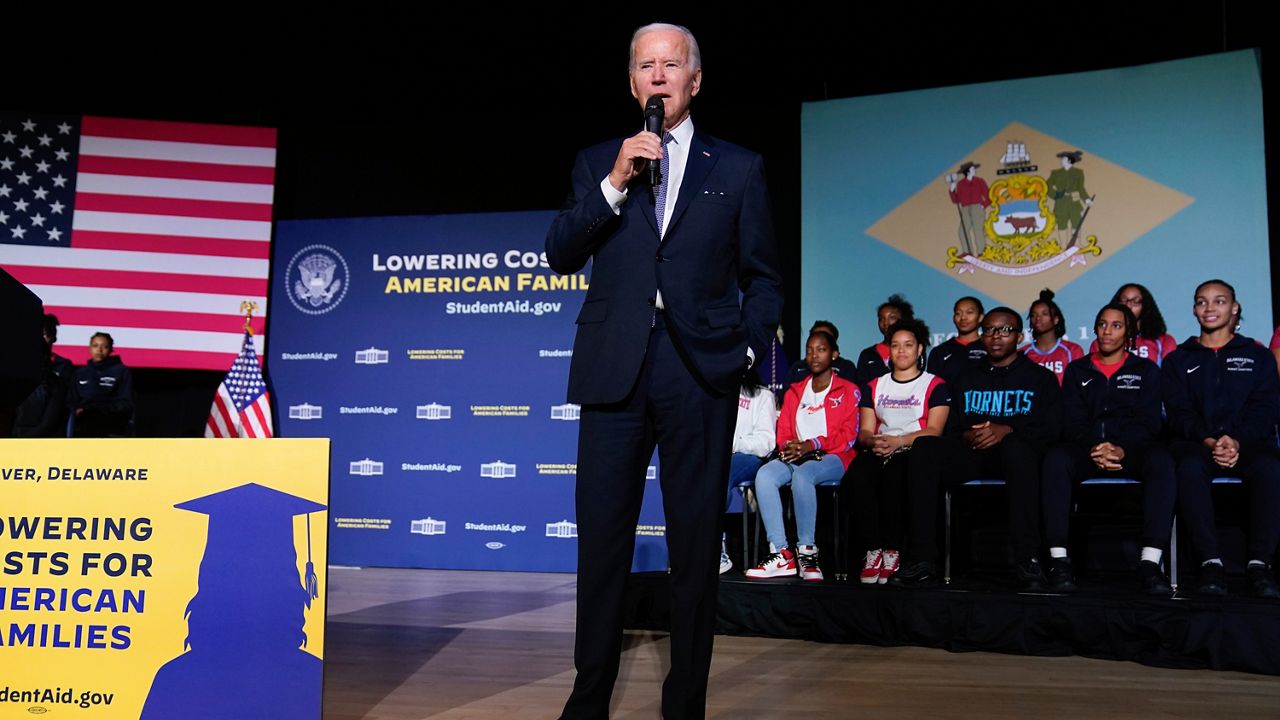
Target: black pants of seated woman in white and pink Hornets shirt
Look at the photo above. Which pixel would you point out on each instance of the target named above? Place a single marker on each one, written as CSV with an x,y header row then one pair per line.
x,y
880,499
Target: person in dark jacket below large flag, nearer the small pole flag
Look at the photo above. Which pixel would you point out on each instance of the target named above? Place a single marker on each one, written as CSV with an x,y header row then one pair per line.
x,y
104,393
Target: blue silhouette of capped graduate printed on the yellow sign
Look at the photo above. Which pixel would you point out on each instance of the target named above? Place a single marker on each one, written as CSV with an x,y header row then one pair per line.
x,y
244,651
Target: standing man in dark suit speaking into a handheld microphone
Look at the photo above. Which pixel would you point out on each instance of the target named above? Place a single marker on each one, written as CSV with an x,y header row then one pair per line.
x,y
685,294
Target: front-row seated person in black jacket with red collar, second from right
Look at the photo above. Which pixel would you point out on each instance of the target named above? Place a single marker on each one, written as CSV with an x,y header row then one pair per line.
x,y
1112,422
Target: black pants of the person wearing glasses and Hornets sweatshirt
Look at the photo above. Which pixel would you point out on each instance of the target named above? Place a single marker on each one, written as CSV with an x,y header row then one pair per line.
x,y
949,461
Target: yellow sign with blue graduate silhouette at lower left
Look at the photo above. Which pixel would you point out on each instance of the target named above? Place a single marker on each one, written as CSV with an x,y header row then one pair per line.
x,y
163,578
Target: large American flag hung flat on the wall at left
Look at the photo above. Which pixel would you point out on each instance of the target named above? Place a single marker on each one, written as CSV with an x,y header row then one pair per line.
x,y
152,231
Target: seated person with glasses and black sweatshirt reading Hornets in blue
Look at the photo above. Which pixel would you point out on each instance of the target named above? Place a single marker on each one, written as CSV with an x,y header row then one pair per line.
x,y
1004,413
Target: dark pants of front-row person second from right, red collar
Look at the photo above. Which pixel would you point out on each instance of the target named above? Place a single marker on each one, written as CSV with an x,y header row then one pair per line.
x,y
1069,464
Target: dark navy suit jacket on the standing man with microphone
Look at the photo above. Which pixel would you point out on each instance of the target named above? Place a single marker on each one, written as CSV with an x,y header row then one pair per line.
x,y
716,268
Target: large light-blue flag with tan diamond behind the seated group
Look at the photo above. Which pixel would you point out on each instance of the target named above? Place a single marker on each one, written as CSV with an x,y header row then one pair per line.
x,y
1173,154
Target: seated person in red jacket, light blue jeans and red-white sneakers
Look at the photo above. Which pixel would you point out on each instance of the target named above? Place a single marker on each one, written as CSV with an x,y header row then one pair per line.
x,y
817,432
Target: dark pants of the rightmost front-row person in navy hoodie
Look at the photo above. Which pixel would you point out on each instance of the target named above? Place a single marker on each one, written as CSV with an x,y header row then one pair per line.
x,y
1260,470
